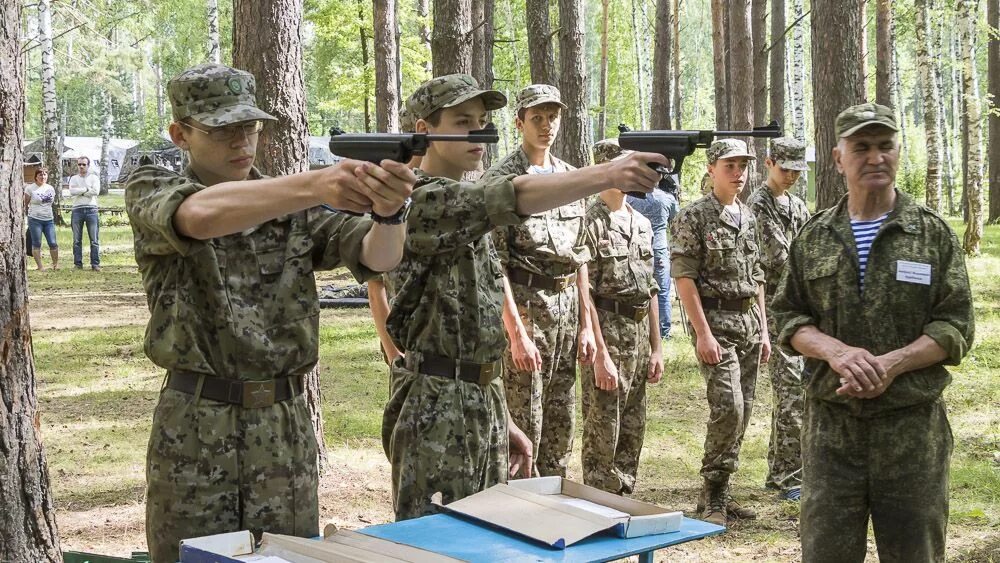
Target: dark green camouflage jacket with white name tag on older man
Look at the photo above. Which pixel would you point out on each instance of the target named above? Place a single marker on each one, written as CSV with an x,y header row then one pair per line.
x,y
820,288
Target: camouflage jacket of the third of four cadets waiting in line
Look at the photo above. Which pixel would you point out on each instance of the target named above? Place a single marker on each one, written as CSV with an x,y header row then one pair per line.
x,y
722,258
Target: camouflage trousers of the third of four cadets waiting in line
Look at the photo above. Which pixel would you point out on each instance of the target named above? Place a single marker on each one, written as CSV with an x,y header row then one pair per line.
x,y
730,387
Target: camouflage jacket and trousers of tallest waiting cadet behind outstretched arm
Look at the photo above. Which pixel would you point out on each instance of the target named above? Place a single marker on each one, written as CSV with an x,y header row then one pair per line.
x,y
543,403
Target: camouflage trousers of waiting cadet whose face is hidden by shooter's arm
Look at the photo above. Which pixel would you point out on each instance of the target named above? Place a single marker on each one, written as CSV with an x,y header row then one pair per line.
x,y
614,422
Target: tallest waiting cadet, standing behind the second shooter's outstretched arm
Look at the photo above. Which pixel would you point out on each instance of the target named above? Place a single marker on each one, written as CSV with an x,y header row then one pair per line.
x,y
544,260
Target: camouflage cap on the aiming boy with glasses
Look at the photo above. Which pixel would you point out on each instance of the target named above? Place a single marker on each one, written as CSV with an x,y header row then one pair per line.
x,y
214,95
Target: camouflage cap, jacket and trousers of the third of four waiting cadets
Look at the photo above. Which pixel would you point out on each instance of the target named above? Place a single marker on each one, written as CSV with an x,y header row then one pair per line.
x,y
723,259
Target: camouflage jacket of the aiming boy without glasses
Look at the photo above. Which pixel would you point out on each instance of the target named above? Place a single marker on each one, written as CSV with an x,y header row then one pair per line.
x,y
449,287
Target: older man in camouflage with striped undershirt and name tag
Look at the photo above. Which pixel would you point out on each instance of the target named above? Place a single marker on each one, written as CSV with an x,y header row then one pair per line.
x,y
877,298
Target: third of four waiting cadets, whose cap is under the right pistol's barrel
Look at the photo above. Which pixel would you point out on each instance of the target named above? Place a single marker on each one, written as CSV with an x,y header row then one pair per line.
x,y
715,262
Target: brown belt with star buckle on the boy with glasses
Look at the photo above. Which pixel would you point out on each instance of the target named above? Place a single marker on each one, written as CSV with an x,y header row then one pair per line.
x,y
248,394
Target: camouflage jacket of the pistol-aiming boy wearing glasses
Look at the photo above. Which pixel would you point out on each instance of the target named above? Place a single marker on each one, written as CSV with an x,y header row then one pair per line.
x,y
241,306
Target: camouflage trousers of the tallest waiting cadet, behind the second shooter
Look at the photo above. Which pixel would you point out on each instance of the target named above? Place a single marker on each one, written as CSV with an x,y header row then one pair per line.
x,y
543,403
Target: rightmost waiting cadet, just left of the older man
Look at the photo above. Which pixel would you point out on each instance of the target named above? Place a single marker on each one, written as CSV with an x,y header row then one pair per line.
x,y
780,215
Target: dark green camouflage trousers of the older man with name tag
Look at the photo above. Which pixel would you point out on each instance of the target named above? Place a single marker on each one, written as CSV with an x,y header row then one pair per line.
x,y
892,468
